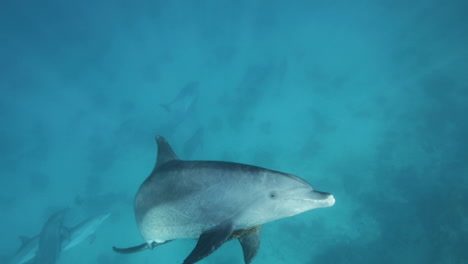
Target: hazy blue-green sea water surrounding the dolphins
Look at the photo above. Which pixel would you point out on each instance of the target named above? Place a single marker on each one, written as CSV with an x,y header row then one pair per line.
x,y
367,100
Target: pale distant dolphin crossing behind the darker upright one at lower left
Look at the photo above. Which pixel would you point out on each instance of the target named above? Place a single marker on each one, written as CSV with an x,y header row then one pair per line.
x,y
76,235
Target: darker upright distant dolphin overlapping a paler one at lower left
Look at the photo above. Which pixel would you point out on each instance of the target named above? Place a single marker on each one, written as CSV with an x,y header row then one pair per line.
x,y
50,240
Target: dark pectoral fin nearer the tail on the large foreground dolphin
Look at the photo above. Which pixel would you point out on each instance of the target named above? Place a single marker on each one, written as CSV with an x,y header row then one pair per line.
x,y
209,241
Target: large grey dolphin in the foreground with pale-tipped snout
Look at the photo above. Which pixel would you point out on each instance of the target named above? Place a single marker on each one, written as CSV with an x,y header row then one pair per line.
x,y
215,201
